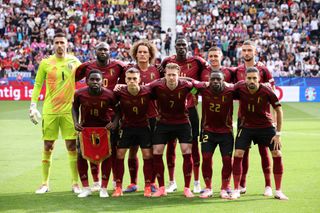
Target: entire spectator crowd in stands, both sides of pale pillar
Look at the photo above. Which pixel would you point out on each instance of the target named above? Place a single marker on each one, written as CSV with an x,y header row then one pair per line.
x,y
286,32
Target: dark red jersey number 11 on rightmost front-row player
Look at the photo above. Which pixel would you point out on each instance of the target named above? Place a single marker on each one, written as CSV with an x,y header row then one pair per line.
x,y
255,108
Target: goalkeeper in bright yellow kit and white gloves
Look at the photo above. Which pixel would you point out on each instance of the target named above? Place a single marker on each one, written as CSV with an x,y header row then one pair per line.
x,y
58,71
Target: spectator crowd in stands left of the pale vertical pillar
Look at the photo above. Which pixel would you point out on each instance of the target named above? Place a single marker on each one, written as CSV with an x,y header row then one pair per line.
x,y
27,28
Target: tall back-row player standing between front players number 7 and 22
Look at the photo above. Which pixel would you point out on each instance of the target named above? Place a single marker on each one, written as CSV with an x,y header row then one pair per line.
x,y
191,67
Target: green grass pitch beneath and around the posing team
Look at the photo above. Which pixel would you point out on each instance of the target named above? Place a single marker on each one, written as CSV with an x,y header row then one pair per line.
x,y
20,172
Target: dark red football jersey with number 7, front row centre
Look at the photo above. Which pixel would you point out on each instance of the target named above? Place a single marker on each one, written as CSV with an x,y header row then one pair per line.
x,y
172,103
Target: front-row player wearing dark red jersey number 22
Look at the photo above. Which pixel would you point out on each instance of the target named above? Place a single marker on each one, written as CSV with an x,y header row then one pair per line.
x,y
217,109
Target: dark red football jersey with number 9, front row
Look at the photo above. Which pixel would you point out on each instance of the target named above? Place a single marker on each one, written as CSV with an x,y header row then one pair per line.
x,y
134,108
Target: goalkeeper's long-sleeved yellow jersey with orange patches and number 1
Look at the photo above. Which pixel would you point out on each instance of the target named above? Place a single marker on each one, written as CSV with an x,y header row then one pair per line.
x,y
59,74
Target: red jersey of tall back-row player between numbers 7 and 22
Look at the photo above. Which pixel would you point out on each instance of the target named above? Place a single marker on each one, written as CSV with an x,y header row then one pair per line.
x,y
192,67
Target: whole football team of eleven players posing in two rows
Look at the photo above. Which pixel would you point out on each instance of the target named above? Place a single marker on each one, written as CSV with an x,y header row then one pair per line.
x,y
175,111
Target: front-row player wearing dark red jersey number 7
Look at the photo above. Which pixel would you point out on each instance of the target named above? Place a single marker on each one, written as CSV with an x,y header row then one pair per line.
x,y
171,94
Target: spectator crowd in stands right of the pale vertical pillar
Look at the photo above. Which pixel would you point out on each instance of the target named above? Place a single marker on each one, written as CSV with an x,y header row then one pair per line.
x,y
286,32
